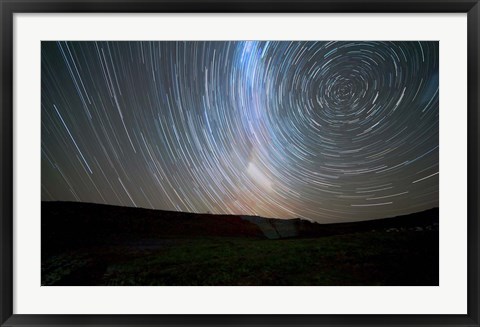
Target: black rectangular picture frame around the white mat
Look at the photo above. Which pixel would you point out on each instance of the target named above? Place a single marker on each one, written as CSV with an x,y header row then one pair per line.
x,y
10,7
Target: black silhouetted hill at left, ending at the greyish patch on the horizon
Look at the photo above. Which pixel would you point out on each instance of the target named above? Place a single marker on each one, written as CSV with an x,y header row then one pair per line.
x,y
76,222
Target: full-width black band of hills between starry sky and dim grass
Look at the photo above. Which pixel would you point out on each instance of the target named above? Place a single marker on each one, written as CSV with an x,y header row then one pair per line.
x,y
87,222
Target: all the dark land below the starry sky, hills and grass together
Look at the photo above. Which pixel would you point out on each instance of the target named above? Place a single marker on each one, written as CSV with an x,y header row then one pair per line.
x,y
88,244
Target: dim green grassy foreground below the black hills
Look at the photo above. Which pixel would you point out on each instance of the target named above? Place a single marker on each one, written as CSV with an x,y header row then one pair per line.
x,y
366,258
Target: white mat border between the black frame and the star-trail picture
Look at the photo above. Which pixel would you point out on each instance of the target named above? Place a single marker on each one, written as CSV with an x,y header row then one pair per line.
x,y
448,298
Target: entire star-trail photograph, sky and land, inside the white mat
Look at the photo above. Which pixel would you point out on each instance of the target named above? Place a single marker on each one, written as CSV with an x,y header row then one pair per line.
x,y
185,163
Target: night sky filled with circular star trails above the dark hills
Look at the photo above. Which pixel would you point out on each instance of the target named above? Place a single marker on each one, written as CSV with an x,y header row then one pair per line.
x,y
328,131
